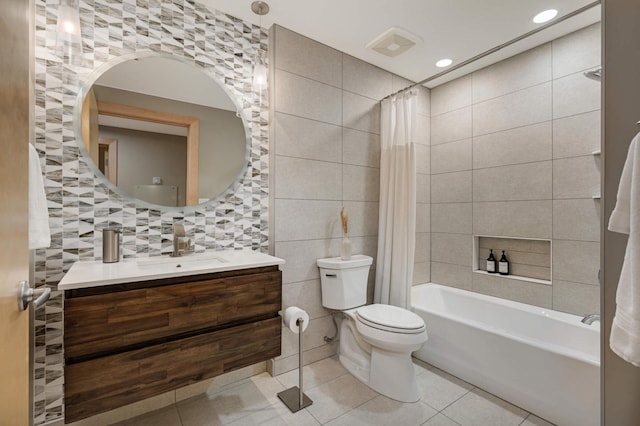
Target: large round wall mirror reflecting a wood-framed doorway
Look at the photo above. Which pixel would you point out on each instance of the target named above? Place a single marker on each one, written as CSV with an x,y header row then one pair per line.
x,y
162,131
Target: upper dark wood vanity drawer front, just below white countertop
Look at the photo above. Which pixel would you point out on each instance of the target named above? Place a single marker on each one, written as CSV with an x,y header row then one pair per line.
x,y
155,312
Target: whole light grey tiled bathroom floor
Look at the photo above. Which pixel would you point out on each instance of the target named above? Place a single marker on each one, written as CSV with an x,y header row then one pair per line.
x,y
340,399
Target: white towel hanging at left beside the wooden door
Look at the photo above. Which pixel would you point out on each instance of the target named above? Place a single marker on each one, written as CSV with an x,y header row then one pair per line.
x,y
39,233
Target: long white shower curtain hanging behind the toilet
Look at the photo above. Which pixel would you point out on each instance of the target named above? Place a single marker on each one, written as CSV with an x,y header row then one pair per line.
x,y
397,213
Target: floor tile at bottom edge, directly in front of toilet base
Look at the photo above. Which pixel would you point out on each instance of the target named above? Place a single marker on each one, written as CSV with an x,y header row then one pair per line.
x,y
385,411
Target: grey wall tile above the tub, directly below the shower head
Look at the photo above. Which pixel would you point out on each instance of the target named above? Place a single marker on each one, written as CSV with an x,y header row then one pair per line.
x,y
575,94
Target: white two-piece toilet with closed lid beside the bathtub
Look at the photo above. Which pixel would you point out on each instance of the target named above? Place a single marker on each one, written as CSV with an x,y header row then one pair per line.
x,y
376,341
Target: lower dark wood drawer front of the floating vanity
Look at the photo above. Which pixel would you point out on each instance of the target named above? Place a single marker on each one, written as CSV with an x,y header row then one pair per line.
x,y
104,383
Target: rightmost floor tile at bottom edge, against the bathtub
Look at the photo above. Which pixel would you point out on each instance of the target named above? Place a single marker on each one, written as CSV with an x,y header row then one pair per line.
x,y
479,408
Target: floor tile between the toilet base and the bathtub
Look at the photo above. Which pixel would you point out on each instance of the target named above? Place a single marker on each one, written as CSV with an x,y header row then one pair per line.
x,y
439,389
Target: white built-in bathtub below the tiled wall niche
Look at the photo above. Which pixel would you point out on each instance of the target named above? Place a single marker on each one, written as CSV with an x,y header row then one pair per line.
x,y
543,361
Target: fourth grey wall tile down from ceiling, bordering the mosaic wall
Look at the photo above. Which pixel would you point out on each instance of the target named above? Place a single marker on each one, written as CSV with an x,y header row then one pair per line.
x,y
308,179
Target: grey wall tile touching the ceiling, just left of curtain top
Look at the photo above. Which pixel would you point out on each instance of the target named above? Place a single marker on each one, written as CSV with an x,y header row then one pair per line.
x,y
365,79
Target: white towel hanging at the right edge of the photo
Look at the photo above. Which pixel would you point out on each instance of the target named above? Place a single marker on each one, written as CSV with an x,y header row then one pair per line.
x,y
625,218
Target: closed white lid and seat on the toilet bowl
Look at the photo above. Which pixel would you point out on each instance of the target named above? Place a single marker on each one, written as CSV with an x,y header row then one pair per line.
x,y
390,318
